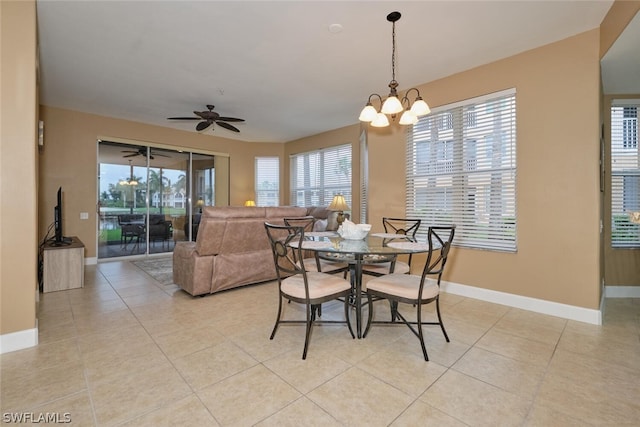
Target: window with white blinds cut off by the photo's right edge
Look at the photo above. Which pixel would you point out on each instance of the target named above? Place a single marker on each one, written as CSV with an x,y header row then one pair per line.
x,y
625,173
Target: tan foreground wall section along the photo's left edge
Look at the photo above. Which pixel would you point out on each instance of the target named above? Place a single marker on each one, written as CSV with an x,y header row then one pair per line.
x,y
18,172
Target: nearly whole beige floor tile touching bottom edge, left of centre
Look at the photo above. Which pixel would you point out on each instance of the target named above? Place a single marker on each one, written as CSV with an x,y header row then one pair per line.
x,y
248,397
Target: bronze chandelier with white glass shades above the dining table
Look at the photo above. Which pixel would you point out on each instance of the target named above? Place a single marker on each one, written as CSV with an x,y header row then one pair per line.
x,y
394,105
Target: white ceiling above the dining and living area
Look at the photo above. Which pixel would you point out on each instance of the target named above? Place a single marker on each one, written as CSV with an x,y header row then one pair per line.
x,y
275,63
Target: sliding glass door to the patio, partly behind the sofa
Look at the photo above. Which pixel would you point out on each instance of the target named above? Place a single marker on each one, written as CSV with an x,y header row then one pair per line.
x,y
145,197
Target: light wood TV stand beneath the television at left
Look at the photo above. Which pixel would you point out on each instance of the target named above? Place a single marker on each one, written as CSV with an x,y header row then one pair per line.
x,y
63,265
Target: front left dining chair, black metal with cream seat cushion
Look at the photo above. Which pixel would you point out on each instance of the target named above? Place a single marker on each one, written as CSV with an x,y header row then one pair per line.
x,y
295,283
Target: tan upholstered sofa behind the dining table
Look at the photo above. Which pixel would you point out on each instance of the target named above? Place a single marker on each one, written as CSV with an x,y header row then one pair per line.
x,y
232,248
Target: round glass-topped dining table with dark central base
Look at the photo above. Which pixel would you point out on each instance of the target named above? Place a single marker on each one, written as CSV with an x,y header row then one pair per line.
x,y
375,248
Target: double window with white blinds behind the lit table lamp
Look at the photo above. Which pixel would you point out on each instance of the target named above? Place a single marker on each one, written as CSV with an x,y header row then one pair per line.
x,y
316,176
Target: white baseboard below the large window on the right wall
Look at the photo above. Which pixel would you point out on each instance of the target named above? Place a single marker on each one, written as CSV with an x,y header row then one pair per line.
x,y
551,308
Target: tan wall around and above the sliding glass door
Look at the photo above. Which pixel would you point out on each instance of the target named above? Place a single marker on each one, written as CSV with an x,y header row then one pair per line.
x,y
69,159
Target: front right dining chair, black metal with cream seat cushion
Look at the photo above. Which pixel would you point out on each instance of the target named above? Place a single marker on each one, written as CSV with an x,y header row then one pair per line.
x,y
413,289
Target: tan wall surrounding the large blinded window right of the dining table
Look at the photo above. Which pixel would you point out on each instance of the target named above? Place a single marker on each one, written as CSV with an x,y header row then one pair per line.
x,y
557,178
